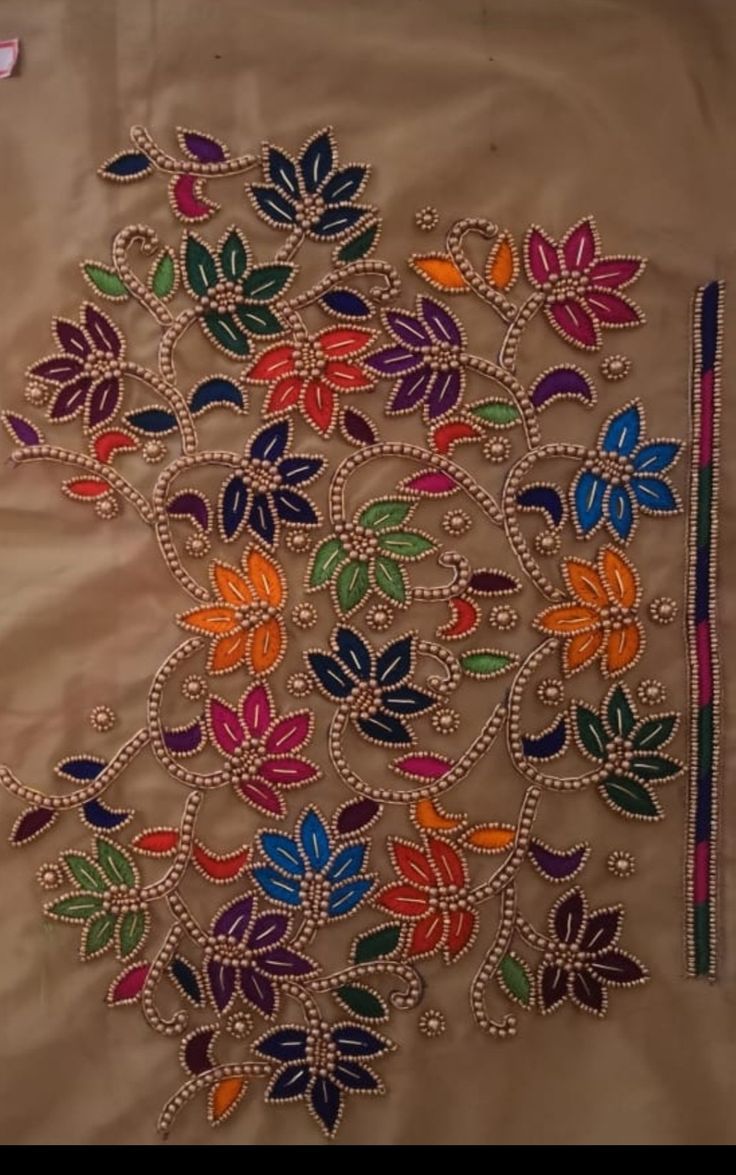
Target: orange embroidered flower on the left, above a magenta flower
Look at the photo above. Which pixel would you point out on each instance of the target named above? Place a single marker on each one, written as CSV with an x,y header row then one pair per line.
x,y
245,621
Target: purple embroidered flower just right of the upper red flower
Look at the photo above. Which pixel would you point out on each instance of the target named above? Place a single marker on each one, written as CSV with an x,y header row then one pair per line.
x,y
429,360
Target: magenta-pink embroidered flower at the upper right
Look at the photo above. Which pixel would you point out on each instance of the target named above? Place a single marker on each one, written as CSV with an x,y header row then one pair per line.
x,y
579,284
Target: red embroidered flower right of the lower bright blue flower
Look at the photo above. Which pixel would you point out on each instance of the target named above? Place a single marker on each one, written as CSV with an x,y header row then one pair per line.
x,y
433,897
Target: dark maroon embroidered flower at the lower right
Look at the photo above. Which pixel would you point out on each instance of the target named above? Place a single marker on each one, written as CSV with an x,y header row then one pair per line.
x,y
580,962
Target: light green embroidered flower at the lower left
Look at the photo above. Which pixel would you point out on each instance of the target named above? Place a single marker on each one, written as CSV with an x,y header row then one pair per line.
x,y
108,901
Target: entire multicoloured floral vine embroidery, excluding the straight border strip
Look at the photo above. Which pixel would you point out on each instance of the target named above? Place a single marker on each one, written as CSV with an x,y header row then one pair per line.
x,y
243,988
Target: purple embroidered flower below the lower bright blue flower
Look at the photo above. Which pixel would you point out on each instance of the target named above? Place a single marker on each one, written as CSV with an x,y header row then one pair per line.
x,y
245,954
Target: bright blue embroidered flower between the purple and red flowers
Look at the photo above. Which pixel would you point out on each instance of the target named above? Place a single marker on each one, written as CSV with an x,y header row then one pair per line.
x,y
307,871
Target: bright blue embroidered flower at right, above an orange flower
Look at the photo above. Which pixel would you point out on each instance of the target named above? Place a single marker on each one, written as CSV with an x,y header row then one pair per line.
x,y
623,476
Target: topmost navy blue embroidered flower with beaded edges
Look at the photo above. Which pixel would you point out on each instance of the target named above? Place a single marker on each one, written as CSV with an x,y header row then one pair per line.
x,y
311,193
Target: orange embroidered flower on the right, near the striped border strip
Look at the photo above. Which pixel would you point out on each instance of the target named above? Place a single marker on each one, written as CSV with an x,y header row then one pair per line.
x,y
601,623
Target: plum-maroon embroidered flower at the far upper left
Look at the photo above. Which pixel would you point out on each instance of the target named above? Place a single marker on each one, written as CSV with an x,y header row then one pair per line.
x,y
89,368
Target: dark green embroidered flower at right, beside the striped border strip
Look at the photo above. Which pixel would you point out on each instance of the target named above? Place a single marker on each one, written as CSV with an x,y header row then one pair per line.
x,y
627,750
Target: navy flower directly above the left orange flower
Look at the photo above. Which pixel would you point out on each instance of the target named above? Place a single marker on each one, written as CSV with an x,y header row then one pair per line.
x,y
260,495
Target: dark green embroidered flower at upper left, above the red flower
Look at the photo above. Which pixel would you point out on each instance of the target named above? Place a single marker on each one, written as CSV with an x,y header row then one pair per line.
x,y
233,297
